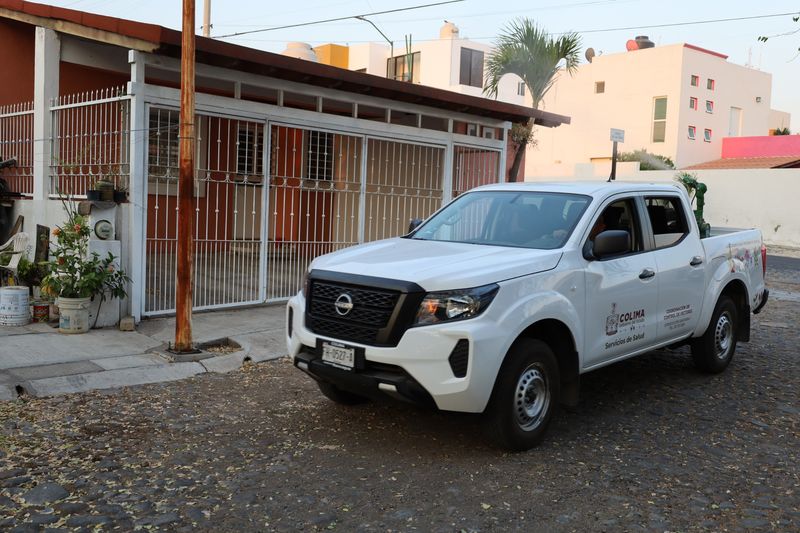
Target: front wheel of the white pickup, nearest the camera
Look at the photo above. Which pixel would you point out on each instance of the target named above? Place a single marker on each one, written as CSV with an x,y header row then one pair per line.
x,y
525,396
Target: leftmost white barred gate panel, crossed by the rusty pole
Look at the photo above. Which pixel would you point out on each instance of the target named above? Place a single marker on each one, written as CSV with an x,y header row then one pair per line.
x,y
228,225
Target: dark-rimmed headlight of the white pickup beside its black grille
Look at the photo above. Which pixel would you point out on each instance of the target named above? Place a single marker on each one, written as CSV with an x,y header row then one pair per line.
x,y
459,304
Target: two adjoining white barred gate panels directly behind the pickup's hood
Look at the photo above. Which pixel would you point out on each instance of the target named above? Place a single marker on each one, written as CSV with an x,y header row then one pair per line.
x,y
332,190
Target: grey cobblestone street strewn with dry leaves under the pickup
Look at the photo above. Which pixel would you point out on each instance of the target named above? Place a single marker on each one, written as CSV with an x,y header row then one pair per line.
x,y
653,446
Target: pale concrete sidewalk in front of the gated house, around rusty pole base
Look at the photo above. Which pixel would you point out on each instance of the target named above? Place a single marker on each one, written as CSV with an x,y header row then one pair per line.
x,y
39,361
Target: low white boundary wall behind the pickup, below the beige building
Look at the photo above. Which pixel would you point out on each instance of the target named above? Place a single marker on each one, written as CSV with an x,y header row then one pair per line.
x,y
761,198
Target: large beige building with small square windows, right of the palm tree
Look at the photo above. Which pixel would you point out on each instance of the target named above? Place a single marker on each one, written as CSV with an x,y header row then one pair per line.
x,y
678,101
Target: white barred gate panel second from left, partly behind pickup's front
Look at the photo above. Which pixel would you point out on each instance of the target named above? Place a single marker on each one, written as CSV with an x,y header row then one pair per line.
x,y
314,202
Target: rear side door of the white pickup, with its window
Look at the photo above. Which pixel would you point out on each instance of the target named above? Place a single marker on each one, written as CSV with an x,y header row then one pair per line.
x,y
680,259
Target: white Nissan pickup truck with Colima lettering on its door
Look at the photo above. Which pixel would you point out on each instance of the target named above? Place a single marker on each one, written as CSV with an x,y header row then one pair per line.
x,y
498,302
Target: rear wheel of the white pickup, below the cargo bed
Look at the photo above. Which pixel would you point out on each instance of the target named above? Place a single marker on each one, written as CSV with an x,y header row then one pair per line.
x,y
714,350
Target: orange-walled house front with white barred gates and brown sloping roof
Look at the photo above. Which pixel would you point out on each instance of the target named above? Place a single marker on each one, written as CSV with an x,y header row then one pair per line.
x,y
294,158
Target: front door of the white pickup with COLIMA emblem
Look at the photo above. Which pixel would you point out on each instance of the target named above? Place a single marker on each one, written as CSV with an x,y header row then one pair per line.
x,y
621,292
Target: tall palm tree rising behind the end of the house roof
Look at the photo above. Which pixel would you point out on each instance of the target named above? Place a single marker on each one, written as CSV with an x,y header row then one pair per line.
x,y
528,51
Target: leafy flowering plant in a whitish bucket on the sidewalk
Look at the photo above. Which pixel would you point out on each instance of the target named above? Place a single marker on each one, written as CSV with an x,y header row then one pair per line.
x,y
76,277
